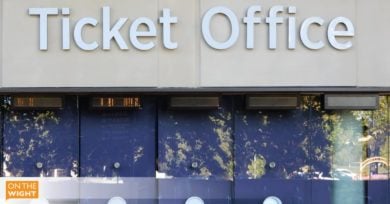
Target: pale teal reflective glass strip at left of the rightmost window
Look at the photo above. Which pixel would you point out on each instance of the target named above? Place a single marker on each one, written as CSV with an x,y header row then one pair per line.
x,y
346,133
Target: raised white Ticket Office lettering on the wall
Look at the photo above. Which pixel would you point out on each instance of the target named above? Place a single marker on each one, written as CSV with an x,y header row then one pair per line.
x,y
339,27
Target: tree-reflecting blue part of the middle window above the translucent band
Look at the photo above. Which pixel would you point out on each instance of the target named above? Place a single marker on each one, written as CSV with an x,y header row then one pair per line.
x,y
196,143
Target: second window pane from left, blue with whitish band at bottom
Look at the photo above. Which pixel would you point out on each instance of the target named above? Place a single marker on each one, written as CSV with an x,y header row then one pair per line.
x,y
118,149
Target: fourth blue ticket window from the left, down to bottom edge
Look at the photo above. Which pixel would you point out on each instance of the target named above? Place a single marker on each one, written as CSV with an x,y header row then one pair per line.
x,y
272,155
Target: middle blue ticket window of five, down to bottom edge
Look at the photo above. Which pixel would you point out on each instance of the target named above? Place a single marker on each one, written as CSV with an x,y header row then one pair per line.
x,y
195,152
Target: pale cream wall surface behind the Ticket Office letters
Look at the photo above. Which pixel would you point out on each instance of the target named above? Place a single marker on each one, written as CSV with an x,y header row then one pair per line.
x,y
194,63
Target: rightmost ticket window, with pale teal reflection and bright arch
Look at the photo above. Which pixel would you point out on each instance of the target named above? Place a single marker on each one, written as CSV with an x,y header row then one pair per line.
x,y
358,147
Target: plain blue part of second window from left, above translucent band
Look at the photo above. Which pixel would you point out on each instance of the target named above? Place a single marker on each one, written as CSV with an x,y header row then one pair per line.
x,y
123,136
